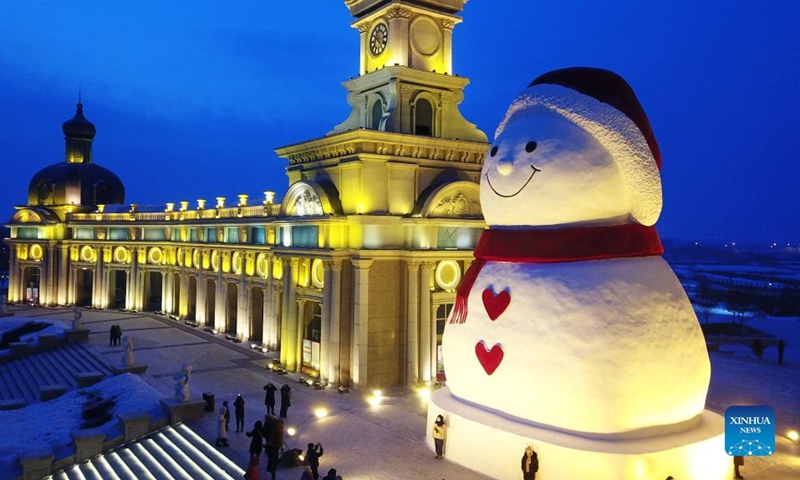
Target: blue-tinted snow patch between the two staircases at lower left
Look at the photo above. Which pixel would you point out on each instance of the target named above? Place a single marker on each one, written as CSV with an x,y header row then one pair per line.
x,y
48,424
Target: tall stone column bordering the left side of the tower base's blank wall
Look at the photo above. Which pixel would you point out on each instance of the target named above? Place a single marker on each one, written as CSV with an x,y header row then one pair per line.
x,y
360,328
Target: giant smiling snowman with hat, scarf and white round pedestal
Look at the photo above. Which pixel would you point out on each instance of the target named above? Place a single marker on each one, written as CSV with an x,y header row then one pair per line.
x,y
570,332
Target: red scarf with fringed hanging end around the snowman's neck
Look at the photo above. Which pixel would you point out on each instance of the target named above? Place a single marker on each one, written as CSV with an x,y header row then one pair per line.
x,y
555,246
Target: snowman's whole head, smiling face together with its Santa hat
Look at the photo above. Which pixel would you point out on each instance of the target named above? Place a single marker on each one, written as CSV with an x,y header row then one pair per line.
x,y
563,157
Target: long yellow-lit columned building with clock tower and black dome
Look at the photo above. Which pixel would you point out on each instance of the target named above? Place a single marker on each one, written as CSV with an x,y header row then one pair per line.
x,y
351,275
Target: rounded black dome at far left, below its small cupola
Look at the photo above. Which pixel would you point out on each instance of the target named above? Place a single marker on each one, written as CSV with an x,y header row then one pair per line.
x,y
75,183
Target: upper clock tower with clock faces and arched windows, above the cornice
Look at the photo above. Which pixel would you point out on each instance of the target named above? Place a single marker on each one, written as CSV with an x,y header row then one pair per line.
x,y
406,82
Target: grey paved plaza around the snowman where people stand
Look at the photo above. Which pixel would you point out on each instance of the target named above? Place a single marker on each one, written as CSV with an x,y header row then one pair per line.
x,y
388,441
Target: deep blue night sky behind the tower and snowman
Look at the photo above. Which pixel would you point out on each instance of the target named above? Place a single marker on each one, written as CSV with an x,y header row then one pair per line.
x,y
190,97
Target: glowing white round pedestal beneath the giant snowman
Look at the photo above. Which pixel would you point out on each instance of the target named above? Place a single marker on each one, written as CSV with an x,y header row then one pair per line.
x,y
493,444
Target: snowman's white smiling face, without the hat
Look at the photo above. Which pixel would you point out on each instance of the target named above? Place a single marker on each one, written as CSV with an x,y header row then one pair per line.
x,y
544,170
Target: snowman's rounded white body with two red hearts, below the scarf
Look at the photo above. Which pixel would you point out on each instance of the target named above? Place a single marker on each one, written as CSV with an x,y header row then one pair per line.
x,y
597,347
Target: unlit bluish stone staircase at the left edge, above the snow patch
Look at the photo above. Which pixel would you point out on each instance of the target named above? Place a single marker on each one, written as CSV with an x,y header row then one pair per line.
x,y
44,375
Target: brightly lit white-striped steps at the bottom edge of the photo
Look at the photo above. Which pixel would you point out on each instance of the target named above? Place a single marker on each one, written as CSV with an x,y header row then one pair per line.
x,y
174,452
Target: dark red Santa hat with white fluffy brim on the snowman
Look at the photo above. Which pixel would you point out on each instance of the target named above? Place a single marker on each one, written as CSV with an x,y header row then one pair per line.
x,y
603,104
